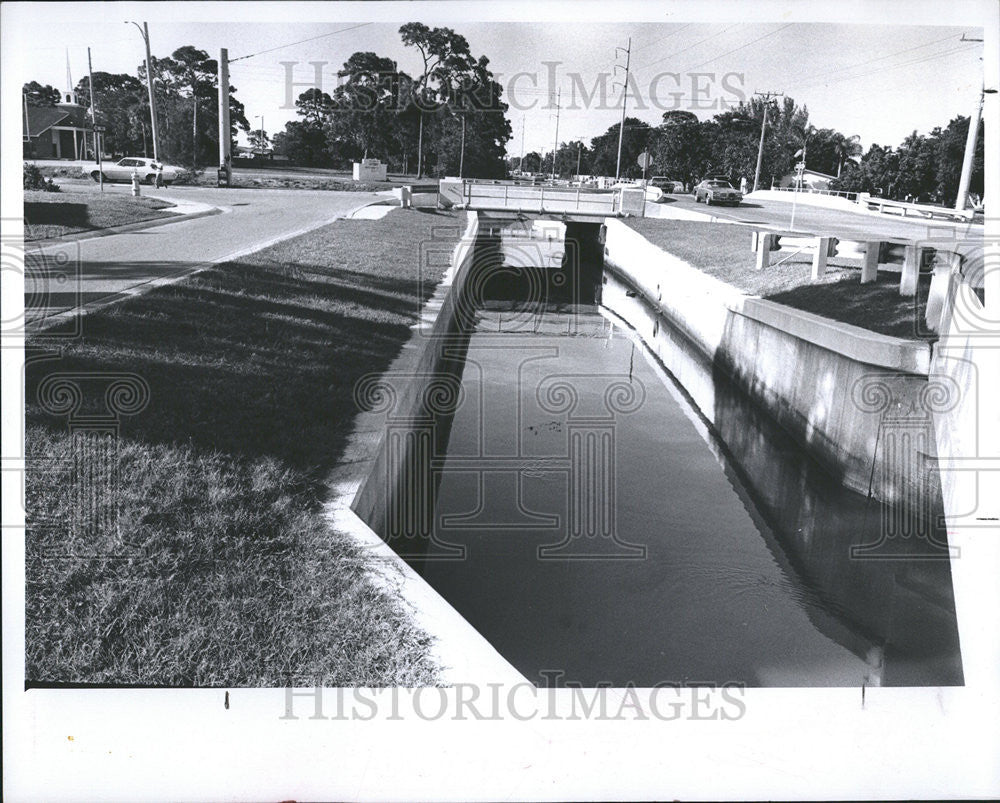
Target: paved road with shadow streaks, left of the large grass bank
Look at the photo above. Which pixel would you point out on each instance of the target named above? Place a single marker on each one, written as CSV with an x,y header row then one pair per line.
x,y
62,277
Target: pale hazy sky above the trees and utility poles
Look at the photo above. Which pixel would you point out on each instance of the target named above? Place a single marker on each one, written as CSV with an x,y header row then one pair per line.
x,y
879,80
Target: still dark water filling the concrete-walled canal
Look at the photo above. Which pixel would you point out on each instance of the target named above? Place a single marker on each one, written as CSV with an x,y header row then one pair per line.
x,y
593,525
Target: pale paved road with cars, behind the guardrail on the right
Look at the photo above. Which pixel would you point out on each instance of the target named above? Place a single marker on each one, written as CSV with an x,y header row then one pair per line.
x,y
820,220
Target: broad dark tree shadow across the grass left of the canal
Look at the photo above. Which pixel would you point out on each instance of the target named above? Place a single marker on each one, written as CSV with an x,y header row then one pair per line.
x,y
250,359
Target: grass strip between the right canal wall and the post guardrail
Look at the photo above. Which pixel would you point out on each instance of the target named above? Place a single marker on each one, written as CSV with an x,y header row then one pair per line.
x,y
723,250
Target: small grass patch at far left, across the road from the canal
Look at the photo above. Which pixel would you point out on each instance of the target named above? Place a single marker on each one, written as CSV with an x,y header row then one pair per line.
x,y
48,215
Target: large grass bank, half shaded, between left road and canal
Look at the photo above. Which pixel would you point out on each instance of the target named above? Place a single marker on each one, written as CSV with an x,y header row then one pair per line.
x,y
222,570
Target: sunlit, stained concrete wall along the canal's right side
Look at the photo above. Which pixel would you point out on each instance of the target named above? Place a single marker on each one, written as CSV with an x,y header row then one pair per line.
x,y
860,403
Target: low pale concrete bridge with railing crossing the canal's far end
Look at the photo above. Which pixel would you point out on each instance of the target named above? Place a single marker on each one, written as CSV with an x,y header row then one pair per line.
x,y
577,204
